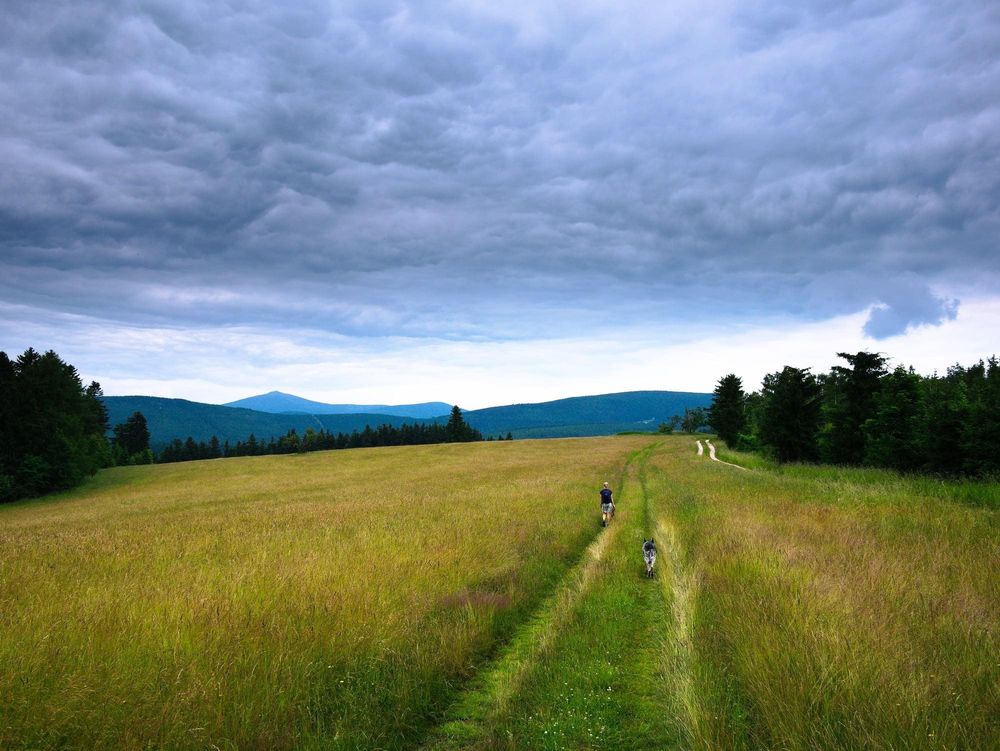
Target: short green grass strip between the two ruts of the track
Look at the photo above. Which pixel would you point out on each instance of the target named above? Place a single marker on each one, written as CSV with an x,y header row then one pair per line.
x,y
596,685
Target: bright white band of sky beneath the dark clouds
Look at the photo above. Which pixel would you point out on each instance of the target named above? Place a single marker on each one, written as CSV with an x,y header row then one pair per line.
x,y
222,364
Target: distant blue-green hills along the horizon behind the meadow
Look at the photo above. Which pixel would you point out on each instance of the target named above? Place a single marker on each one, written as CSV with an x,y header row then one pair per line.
x,y
603,414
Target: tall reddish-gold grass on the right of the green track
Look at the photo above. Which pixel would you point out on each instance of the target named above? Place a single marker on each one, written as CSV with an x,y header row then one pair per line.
x,y
839,608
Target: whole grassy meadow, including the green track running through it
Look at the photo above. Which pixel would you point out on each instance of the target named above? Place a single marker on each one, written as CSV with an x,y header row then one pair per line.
x,y
465,597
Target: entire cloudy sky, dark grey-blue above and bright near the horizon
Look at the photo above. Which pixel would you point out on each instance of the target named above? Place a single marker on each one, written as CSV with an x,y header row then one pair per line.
x,y
482,202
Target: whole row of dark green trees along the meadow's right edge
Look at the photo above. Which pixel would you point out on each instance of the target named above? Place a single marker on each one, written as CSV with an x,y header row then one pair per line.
x,y
863,413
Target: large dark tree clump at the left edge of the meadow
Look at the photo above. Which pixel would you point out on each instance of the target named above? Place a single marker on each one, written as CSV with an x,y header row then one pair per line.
x,y
51,427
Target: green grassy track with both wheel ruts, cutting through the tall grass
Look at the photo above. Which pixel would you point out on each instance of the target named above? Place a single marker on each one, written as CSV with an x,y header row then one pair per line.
x,y
591,669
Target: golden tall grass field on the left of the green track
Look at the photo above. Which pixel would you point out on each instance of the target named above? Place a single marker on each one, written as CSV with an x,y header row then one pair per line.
x,y
324,600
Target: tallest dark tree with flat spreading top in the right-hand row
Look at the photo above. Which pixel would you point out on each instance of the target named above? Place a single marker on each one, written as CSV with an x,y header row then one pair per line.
x,y
849,396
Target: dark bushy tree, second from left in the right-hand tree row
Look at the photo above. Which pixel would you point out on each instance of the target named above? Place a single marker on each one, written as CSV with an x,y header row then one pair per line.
x,y
790,414
